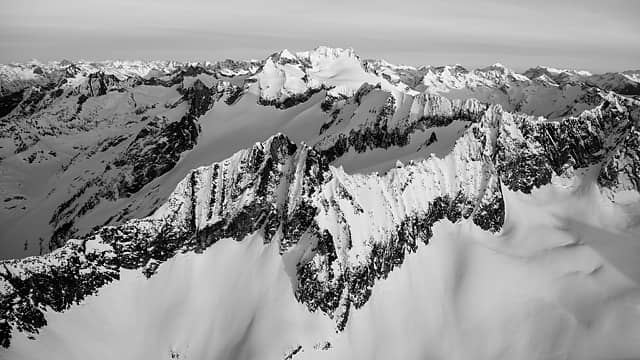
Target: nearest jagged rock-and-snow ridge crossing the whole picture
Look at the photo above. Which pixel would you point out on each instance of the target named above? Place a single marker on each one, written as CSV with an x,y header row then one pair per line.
x,y
343,232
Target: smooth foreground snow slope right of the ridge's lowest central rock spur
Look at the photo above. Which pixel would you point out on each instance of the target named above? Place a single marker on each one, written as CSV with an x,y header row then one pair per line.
x,y
557,283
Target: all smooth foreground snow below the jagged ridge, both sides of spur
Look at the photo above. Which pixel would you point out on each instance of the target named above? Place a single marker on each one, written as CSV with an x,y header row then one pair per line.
x,y
556,283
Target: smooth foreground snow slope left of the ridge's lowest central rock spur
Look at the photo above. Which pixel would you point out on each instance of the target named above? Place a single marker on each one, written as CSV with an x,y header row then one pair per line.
x,y
233,301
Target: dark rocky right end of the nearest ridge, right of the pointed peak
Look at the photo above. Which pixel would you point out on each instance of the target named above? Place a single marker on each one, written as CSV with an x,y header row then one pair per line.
x,y
537,151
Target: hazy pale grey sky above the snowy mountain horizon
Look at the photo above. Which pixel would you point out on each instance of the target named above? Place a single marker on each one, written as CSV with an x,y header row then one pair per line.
x,y
596,35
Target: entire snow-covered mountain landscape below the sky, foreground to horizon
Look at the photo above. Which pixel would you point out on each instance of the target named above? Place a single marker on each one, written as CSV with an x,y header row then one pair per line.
x,y
344,171
